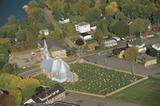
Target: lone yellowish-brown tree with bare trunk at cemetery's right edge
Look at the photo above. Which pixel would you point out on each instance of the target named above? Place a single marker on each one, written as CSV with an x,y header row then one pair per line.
x,y
130,54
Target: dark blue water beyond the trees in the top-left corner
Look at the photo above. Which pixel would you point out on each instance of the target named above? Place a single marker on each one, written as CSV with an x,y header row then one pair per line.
x,y
11,7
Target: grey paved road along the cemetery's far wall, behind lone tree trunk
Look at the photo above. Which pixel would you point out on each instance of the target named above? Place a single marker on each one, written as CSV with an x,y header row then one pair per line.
x,y
115,63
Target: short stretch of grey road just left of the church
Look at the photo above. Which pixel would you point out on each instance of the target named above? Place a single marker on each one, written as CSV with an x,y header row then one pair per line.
x,y
31,73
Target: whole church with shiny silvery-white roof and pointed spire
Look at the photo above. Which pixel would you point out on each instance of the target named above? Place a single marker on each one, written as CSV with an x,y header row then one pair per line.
x,y
55,68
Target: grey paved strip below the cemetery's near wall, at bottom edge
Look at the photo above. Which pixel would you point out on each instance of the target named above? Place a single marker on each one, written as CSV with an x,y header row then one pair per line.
x,y
85,100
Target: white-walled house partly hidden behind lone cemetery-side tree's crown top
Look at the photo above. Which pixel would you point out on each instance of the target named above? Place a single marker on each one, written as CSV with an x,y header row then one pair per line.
x,y
139,44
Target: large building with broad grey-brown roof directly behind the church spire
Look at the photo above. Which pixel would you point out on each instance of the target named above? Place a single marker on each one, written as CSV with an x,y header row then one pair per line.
x,y
55,47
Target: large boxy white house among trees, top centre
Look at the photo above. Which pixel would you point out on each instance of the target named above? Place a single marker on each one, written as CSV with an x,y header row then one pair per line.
x,y
83,27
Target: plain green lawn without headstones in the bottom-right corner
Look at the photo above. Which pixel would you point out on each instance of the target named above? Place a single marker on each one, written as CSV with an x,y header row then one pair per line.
x,y
146,93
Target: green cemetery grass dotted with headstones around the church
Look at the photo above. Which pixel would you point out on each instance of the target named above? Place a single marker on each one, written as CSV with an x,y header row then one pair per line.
x,y
94,79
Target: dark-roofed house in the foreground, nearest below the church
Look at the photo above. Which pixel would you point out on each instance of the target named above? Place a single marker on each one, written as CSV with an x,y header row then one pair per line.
x,y
48,95
